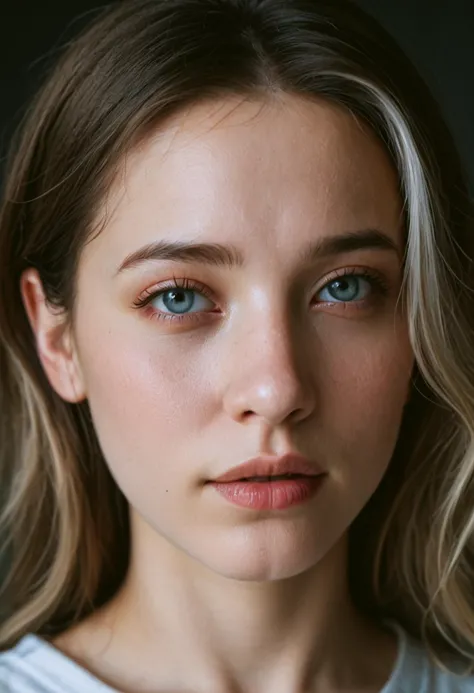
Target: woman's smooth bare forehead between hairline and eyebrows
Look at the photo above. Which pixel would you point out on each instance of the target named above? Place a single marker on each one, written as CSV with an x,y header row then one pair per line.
x,y
258,169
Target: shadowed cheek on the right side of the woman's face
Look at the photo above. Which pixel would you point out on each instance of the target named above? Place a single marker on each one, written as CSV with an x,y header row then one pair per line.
x,y
367,382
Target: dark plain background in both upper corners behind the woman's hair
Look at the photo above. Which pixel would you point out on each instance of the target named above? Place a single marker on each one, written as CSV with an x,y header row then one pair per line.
x,y
438,35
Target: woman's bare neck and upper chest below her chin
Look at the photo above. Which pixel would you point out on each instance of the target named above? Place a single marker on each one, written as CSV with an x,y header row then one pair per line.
x,y
175,625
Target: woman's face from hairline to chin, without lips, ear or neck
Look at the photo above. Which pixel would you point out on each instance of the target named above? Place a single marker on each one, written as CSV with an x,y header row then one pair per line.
x,y
291,341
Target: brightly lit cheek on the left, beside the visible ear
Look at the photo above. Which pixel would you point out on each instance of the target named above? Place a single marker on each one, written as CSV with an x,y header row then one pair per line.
x,y
146,397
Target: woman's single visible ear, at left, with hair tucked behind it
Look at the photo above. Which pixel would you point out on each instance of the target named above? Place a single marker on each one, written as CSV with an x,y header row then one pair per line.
x,y
54,340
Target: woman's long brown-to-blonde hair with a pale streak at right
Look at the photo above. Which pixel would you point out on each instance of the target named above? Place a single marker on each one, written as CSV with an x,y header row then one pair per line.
x,y
64,522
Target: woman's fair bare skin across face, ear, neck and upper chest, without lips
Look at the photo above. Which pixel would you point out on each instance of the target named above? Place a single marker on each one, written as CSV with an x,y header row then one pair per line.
x,y
219,598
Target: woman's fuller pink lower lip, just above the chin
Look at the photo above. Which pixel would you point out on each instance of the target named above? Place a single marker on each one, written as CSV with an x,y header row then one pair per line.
x,y
269,495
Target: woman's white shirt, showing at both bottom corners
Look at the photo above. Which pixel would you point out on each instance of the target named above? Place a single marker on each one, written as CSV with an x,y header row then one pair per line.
x,y
35,666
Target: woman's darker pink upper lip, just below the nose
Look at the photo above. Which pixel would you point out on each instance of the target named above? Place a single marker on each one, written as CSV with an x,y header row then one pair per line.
x,y
291,463
